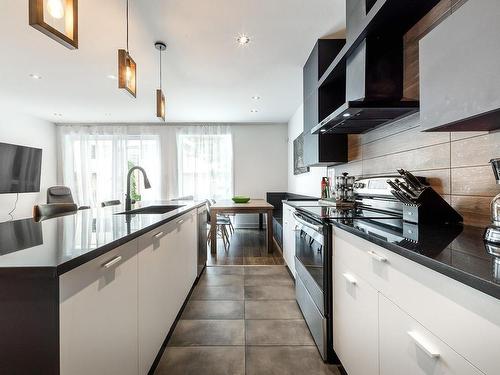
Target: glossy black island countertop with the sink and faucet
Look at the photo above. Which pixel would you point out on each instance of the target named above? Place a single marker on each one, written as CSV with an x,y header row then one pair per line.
x,y
60,244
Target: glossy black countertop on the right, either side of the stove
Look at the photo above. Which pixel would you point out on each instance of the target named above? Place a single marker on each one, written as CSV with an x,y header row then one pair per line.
x,y
457,251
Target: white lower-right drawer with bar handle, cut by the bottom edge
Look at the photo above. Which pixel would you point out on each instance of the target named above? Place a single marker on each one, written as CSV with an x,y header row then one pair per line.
x,y
406,347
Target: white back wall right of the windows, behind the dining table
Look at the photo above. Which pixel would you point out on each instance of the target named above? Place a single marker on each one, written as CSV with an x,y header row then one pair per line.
x,y
260,162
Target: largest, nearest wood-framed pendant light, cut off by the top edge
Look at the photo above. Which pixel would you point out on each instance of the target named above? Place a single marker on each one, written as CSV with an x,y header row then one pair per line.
x,y
57,19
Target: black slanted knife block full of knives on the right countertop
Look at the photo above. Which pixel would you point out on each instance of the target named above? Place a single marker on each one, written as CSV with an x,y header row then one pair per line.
x,y
421,203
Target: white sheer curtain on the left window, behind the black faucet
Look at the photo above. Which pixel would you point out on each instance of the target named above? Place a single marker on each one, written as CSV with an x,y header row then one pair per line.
x,y
94,161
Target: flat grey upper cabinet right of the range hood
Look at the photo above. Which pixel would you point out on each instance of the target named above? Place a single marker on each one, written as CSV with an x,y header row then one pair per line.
x,y
459,70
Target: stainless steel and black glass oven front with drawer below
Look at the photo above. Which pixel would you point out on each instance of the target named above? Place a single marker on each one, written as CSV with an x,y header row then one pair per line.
x,y
311,267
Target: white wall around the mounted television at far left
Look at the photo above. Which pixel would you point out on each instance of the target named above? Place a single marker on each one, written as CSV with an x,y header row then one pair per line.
x,y
29,131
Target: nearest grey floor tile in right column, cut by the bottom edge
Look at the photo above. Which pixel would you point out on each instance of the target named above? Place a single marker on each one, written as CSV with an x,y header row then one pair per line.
x,y
286,360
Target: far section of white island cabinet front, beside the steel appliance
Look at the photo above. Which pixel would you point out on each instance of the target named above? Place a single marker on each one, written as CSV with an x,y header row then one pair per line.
x,y
167,270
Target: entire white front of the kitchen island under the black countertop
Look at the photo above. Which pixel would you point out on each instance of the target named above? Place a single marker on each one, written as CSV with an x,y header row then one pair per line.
x,y
117,310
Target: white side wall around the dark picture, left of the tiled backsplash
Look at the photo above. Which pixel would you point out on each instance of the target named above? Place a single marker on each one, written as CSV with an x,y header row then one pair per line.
x,y
306,183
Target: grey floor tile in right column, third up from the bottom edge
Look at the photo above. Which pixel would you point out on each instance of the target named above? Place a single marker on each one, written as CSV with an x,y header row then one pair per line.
x,y
272,310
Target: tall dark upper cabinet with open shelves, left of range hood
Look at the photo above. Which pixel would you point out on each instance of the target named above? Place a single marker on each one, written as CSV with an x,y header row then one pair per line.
x,y
321,148
